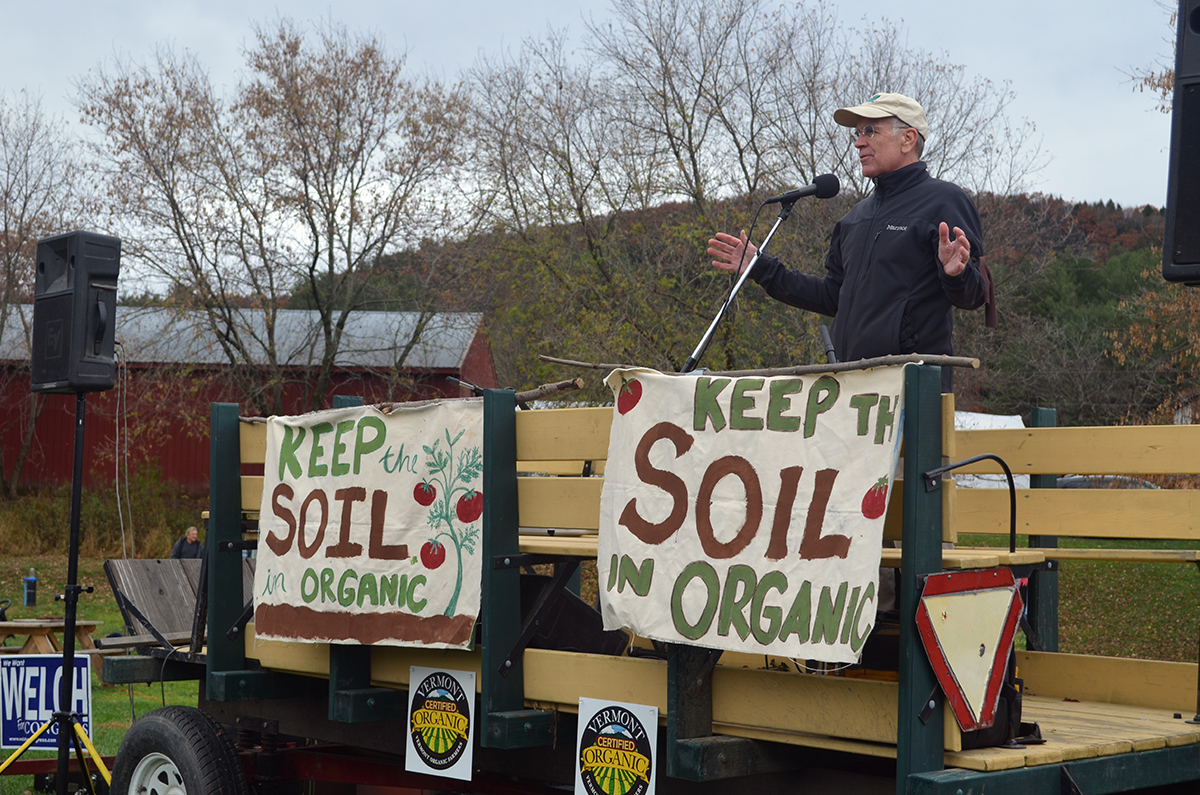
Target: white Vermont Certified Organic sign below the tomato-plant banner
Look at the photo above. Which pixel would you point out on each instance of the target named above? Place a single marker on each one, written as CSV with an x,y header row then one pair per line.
x,y
441,730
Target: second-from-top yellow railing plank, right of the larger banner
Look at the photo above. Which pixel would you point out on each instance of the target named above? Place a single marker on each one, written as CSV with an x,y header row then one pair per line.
x,y
1088,513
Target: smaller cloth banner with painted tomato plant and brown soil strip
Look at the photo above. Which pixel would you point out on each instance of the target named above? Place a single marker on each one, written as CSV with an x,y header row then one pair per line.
x,y
370,527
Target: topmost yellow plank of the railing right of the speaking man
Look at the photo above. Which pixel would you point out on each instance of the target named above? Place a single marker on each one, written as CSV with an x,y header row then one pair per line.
x,y
1144,450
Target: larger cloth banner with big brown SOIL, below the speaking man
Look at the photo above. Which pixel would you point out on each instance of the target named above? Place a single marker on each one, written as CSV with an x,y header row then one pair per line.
x,y
748,513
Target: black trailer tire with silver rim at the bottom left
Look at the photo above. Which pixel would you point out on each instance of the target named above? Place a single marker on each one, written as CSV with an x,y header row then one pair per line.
x,y
178,751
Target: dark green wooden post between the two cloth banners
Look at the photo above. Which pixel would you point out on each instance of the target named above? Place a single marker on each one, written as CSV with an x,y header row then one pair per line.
x,y
507,724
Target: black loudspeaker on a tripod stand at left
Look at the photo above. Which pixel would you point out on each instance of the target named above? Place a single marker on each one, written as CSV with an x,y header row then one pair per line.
x,y
75,306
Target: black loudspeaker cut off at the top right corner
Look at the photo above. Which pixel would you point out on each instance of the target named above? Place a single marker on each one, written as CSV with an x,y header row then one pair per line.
x,y
1181,244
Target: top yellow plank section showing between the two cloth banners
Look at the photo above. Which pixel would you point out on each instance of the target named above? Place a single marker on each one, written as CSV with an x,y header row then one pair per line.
x,y
563,434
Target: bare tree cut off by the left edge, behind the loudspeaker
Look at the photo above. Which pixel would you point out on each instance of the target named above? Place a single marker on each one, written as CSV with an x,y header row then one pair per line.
x,y
39,194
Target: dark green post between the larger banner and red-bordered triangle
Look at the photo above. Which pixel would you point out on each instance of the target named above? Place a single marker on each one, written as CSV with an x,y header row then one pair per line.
x,y
919,745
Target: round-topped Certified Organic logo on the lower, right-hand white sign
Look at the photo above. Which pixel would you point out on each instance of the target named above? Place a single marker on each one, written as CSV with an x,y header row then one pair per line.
x,y
616,754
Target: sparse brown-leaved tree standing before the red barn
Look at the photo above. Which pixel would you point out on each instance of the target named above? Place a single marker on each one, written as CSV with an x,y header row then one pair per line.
x,y
325,159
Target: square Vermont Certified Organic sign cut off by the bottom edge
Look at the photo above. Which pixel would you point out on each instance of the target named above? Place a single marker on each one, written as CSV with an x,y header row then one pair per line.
x,y
616,749
